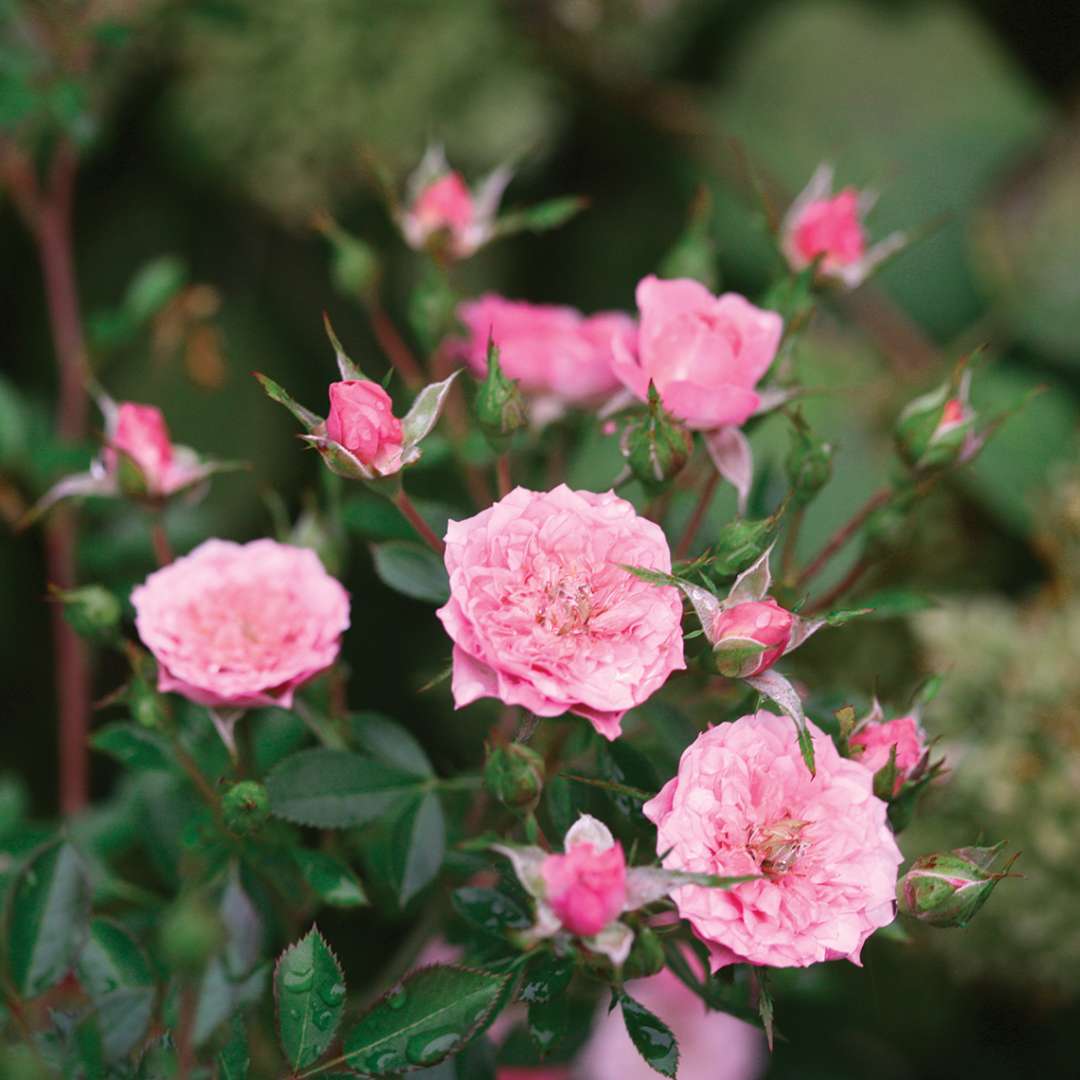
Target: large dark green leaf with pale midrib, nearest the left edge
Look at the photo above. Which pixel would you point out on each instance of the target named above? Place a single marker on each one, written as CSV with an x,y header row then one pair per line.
x,y
48,919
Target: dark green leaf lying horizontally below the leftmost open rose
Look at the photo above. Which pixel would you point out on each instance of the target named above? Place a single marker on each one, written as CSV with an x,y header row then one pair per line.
x,y
334,789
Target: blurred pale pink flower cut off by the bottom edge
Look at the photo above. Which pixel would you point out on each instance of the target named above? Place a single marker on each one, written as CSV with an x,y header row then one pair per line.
x,y
712,1046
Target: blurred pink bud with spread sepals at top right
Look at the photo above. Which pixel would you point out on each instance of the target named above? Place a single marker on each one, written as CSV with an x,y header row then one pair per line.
x,y
831,227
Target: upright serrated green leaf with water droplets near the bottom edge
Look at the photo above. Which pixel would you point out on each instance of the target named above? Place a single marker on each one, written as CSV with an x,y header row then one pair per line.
x,y
309,991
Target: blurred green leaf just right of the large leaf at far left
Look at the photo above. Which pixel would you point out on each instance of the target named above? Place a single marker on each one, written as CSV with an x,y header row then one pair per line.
x,y
116,975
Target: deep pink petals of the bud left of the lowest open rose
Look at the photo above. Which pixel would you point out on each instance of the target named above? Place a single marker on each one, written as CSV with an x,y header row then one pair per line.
x,y
587,888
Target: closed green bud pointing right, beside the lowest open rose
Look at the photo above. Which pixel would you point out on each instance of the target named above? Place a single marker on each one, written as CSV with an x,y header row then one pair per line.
x,y
949,888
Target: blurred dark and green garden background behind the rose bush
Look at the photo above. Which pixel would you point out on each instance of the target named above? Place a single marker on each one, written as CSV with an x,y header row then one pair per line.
x,y
237,120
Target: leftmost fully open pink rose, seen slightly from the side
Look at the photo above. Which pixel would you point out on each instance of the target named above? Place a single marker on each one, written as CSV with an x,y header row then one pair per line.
x,y
241,626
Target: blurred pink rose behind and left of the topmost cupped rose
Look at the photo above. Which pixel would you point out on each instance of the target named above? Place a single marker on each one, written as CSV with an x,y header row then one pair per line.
x,y
555,353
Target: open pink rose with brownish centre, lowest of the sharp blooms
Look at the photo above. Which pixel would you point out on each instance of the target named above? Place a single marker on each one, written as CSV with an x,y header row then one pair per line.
x,y
745,803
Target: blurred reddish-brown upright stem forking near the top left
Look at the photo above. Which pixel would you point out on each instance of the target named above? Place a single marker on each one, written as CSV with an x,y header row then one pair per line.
x,y
46,209
